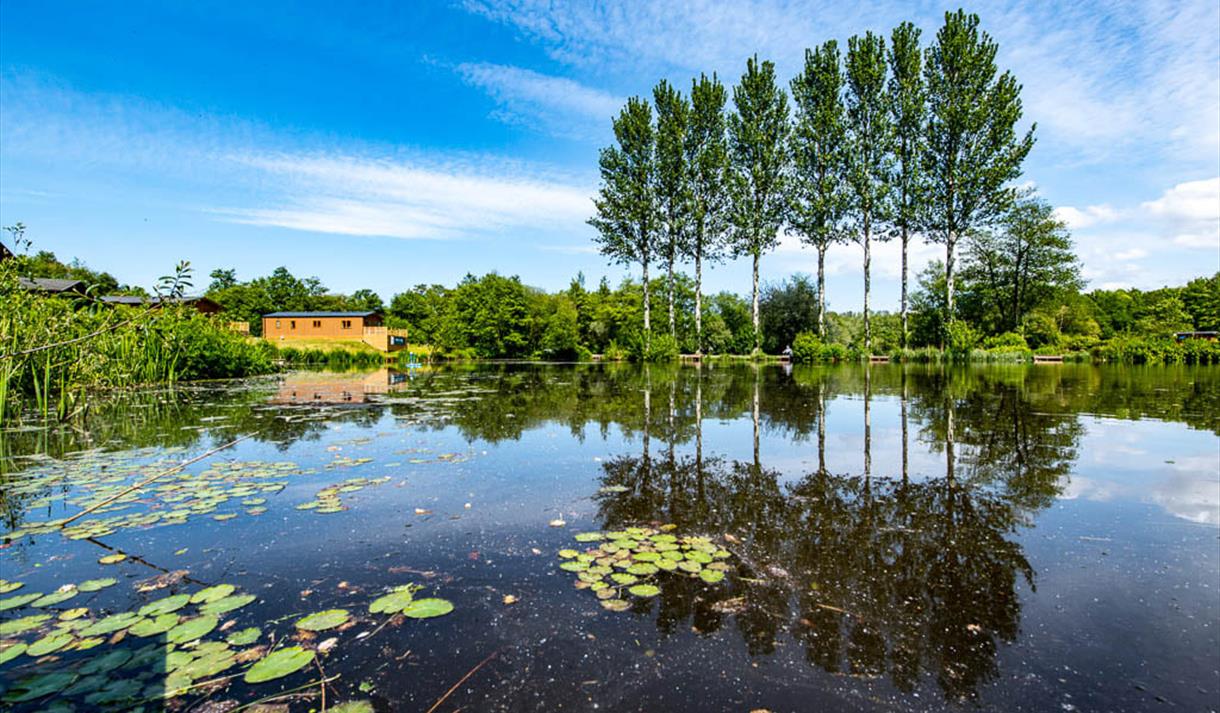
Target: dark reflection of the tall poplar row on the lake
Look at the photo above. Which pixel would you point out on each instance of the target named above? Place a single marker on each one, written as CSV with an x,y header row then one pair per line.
x,y
873,577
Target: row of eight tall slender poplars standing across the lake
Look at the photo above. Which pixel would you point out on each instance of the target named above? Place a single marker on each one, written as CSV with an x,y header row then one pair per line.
x,y
890,142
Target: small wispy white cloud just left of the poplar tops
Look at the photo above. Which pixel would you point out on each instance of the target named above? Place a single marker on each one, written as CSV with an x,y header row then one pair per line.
x,y
557,104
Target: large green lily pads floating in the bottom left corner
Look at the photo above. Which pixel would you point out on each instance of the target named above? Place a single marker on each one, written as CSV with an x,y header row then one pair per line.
x,y
192,645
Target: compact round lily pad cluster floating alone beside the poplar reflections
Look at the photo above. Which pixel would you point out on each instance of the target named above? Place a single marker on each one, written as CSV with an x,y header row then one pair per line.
x,y
631,561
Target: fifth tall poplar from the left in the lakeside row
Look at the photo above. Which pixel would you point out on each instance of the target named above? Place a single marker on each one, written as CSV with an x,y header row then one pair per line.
x,y
818,195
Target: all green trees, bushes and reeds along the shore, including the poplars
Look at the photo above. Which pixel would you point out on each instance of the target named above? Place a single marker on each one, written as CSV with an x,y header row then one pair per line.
x,y
890,139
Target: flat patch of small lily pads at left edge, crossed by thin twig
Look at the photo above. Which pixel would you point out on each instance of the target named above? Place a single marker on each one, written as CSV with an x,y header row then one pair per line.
x,y
171,501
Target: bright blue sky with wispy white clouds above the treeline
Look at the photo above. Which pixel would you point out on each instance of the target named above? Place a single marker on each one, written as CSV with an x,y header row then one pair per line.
x,y
389,145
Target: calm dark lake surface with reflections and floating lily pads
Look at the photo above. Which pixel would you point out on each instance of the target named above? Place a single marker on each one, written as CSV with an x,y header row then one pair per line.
x,y
867,539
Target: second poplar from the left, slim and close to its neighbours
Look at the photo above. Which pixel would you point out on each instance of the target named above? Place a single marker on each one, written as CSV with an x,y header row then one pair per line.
x,y
673,183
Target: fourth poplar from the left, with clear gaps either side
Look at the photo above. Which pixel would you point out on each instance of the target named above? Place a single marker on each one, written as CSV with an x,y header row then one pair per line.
x,y
758,132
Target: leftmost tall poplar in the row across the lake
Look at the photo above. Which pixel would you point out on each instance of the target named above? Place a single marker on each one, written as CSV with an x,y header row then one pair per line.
x,y
626,204
